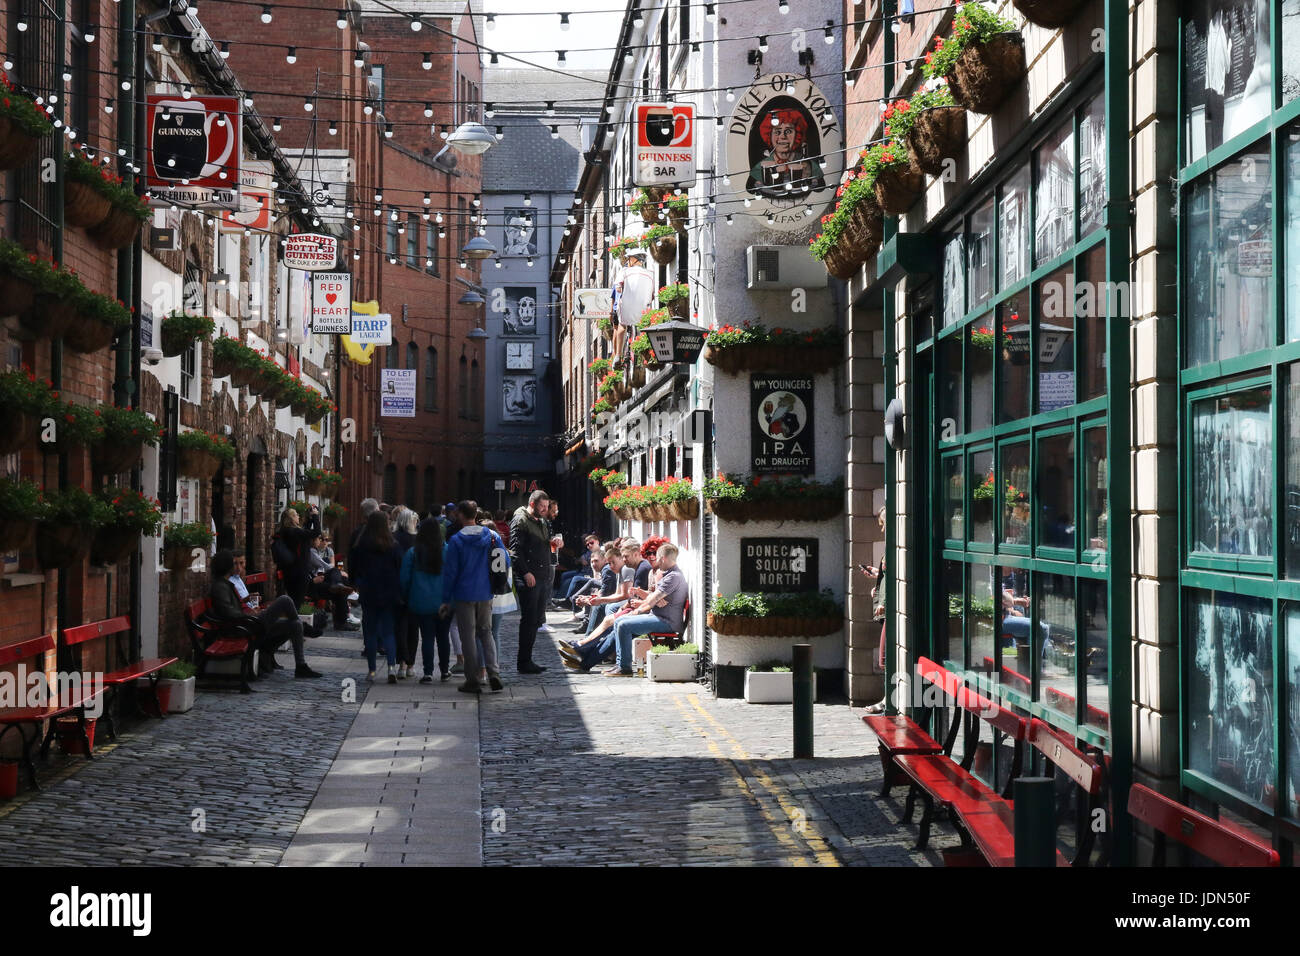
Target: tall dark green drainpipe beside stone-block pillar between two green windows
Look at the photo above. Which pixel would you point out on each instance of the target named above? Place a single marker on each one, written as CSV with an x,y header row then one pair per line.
x,y
1119,266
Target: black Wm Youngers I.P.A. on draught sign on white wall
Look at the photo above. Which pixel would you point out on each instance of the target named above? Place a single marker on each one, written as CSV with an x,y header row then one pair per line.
x,y
782,425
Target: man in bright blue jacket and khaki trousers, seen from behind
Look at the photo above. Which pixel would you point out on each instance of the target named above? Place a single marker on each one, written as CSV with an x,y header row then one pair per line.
x,y
467,586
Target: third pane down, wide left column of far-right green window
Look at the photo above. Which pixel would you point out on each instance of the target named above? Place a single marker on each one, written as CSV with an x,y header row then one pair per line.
x,y
1233,474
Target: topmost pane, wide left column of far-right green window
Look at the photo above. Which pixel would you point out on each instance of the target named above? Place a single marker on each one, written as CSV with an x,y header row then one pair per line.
x,y
1228,77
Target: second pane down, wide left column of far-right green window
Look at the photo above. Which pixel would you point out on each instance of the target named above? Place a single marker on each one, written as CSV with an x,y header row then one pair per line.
x,y
1229,261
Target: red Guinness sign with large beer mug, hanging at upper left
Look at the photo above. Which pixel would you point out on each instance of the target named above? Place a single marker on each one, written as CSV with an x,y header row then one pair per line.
x,y
194,150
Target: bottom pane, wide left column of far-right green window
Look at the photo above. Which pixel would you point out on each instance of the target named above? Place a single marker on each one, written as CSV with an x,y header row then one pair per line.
x,y
1230,693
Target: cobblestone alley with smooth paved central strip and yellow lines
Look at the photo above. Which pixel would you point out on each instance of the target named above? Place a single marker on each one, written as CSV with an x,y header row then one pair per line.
x,y
558,769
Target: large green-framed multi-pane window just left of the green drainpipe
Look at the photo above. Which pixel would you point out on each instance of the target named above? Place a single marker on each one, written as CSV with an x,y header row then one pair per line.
x,y
987,353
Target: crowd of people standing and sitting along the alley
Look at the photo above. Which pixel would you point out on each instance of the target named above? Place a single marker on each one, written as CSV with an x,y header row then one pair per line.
x,y
436,589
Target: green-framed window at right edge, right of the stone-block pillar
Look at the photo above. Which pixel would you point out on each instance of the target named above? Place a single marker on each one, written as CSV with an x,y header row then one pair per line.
x,y
1230,602
